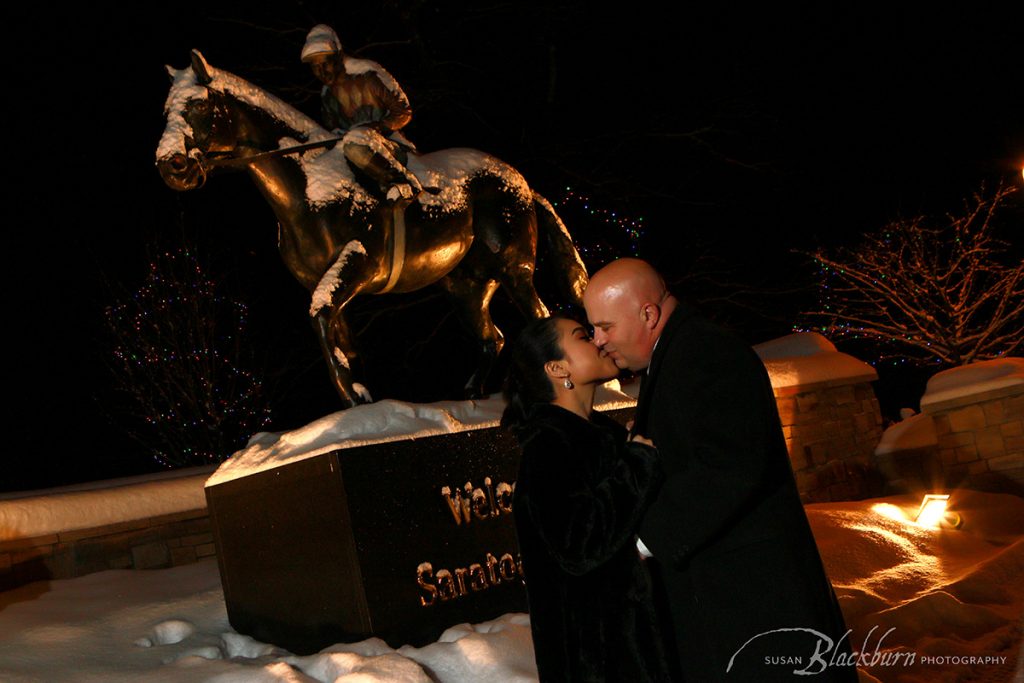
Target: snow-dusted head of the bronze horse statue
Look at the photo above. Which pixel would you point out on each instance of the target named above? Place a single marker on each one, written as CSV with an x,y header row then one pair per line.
x,y
200,126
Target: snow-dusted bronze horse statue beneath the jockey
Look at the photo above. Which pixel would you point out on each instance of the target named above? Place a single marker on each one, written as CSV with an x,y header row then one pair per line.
x,y
478,229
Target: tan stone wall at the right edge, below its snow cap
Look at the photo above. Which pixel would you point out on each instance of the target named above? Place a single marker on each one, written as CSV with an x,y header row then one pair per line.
x,y
982,440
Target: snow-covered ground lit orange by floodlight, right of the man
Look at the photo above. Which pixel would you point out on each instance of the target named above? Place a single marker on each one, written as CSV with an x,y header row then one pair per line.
x,y
953,599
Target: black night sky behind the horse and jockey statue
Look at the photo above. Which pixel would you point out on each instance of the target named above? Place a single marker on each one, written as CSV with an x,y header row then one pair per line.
x,y
742,137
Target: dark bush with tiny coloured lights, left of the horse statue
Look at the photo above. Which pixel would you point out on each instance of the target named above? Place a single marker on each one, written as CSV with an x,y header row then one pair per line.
x,y
185,385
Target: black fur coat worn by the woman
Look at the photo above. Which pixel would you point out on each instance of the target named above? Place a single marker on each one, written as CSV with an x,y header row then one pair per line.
x,y
580,496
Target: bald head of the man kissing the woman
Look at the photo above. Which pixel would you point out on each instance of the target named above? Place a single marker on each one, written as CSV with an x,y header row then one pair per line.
x,y
628,305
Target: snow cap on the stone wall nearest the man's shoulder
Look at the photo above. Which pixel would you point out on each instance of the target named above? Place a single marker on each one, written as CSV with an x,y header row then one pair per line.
x,y
807,358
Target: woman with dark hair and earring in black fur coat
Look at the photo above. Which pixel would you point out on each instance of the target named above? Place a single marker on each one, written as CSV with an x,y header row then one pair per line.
x,y
580,495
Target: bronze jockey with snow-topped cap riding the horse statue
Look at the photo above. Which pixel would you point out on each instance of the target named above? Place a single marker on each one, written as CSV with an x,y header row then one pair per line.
x,y
367,107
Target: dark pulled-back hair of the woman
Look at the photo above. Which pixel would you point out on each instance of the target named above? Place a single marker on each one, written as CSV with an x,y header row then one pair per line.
x,y
527,382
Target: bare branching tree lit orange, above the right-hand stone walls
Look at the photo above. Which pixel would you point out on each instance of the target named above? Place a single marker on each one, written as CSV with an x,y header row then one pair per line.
x,y
950,294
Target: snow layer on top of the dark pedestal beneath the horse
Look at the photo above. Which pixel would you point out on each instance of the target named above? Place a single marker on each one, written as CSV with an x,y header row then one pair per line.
x,y
378,423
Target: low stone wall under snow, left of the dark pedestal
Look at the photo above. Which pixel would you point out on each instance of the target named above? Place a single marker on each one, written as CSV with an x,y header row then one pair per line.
x,y
149,543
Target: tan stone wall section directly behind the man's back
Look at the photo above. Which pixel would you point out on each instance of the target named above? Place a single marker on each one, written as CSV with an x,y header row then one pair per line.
x,y
831,431
